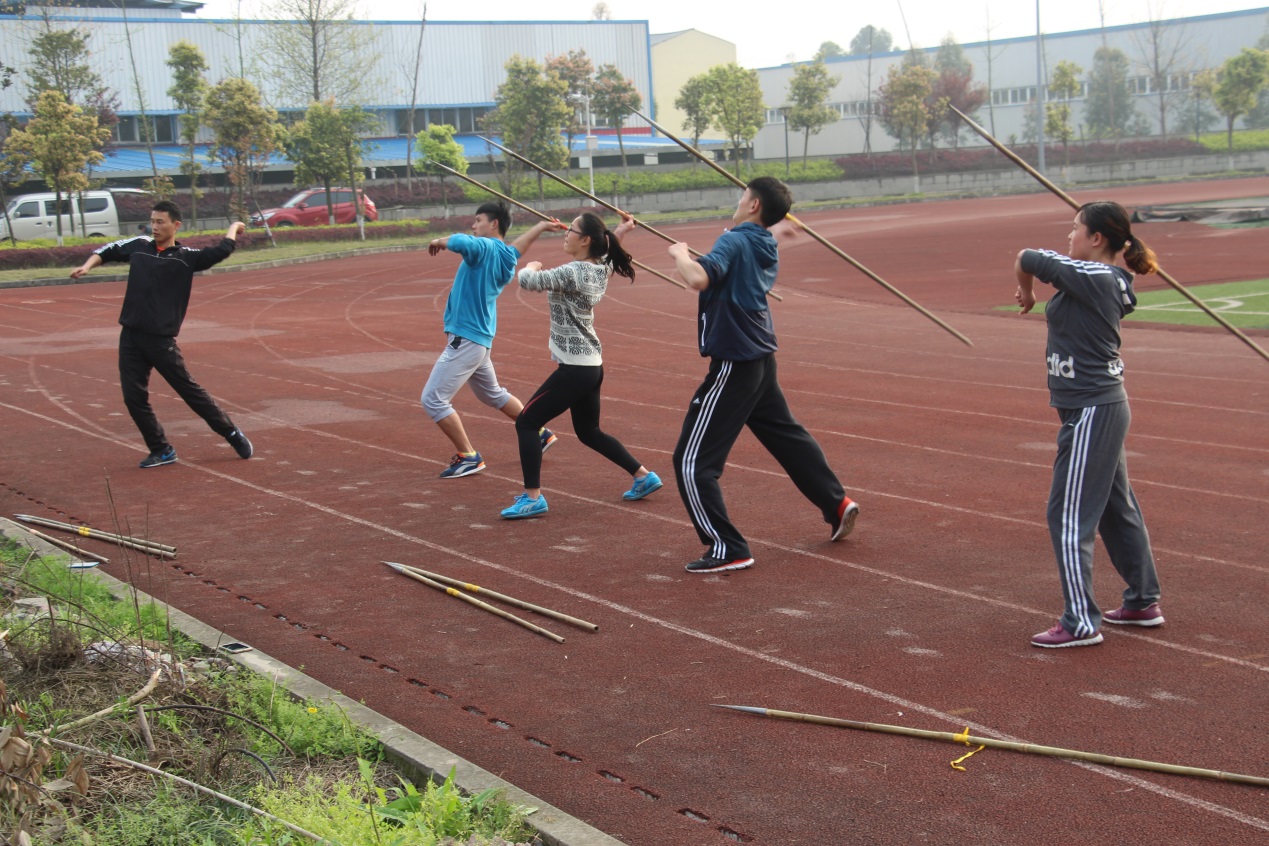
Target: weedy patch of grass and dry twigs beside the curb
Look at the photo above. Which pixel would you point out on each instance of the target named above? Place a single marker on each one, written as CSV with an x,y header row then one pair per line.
x,y
83,653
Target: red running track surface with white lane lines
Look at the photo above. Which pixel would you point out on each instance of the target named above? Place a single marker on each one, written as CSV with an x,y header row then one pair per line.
x,y
921,618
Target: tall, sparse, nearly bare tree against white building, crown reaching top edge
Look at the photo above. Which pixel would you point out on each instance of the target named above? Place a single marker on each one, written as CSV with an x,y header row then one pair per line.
x,y
319,53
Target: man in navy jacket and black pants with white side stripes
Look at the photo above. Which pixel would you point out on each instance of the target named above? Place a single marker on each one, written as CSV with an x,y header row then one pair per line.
x,y
735,333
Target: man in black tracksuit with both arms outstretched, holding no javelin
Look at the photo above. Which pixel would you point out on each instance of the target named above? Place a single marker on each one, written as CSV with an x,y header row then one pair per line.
x,y
161,278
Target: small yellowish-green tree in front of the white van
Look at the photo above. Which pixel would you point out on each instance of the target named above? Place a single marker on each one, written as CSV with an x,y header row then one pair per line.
x,y
60,141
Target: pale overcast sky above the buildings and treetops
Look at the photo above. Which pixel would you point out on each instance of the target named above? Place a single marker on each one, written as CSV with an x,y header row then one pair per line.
x,y
795,30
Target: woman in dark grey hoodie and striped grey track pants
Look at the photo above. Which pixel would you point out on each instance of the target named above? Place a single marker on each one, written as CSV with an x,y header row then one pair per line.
x,y
1091,490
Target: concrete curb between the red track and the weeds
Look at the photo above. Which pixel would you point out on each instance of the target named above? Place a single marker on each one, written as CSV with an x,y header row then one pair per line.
x,y
414,755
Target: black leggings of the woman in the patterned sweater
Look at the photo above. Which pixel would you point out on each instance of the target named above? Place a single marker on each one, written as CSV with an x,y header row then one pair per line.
x,y
573,387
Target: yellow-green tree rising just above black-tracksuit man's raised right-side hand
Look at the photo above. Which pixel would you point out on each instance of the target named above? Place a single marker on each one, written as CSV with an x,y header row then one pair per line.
x,y
247,134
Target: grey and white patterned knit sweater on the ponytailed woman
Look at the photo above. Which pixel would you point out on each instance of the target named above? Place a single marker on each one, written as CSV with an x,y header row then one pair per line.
x,y
573,291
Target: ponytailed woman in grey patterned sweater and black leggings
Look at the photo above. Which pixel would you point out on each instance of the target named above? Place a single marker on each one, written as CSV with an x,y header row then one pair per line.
x,y
573,291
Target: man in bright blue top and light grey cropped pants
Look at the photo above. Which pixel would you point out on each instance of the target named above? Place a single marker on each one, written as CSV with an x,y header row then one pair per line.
x,y
470,324
